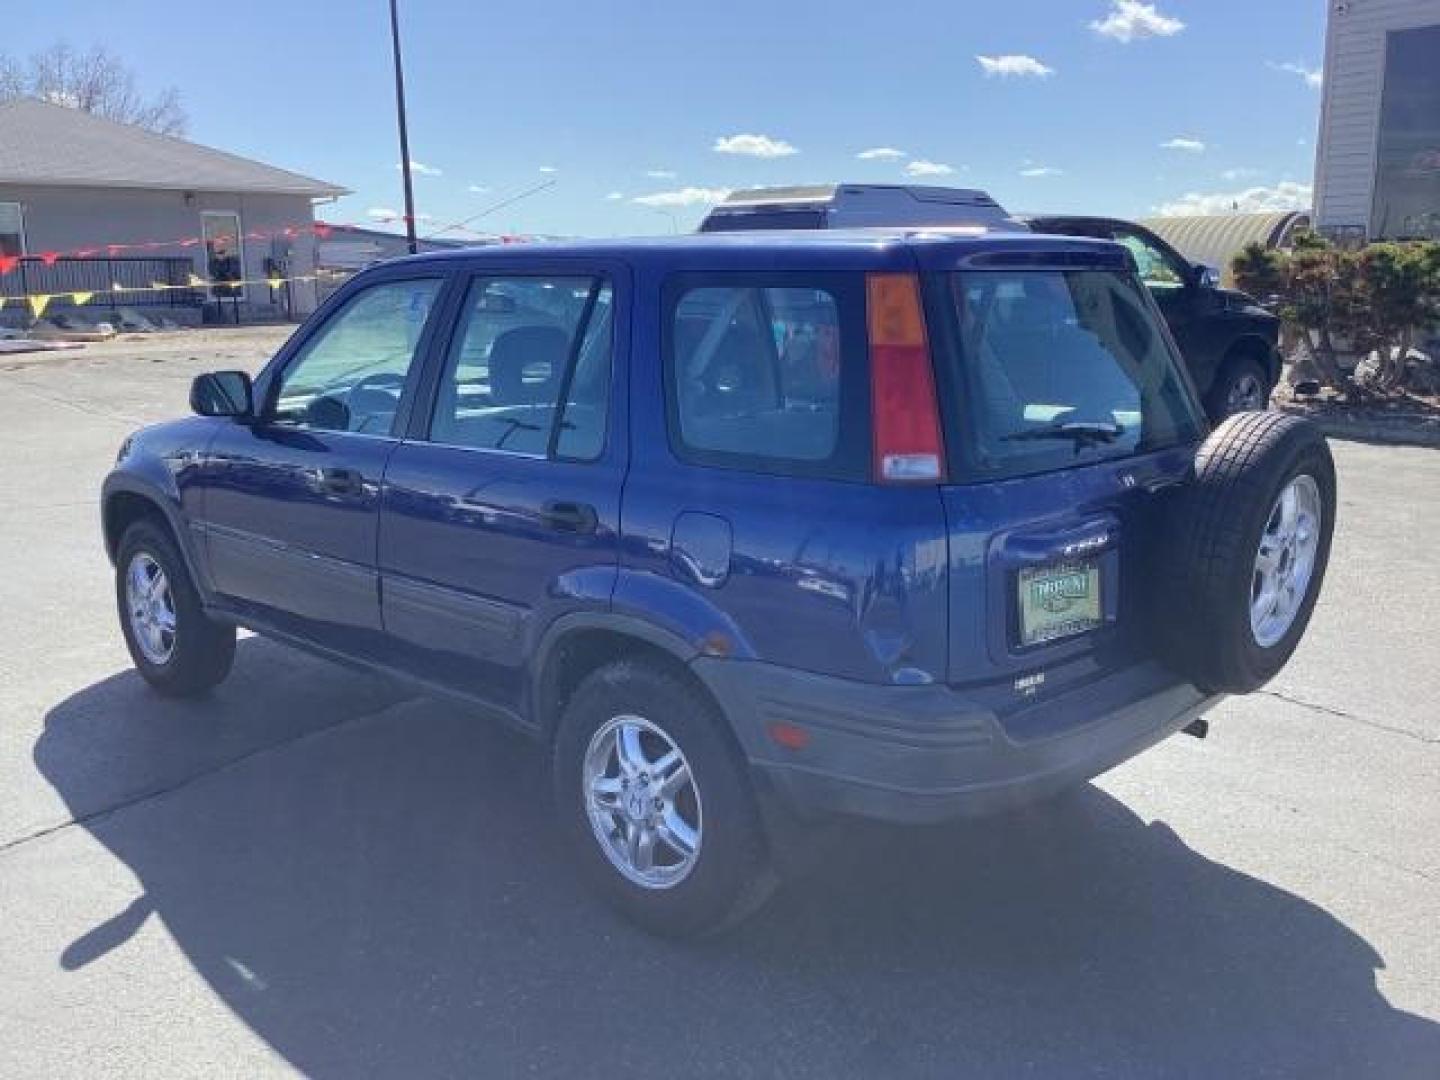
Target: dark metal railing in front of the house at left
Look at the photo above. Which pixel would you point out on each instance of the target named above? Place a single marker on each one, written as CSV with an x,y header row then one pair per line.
x,y
120,282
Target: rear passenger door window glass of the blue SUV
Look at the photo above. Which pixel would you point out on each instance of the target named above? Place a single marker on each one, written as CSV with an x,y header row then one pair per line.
x,y
531,368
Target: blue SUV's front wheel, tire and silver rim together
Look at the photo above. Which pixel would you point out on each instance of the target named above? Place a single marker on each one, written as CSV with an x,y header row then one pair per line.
x,y
175,646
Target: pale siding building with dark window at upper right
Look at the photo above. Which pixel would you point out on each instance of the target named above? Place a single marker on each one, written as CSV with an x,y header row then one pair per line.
x,y
1377,172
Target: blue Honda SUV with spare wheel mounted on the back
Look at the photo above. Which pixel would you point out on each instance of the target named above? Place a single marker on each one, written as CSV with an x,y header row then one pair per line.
x,y
898,525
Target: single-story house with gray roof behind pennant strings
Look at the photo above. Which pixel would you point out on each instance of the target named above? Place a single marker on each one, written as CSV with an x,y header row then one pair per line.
x,y
90,199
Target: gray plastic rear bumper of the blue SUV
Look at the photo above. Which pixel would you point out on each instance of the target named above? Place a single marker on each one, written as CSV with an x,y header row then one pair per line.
x,y
927,754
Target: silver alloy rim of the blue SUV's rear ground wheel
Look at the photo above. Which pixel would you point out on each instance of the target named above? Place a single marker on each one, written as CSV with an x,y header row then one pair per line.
x,y
643,803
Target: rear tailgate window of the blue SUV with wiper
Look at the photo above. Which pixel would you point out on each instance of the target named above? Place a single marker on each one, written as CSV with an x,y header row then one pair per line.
x,y
1053,369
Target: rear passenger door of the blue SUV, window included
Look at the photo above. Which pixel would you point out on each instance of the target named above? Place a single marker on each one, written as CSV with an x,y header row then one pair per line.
x,y
502,509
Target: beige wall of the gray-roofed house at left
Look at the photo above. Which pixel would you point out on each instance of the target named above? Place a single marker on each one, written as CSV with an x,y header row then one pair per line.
x,y
68,218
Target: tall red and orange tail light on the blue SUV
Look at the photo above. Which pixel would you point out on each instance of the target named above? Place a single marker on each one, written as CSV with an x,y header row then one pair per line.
x,y
904,411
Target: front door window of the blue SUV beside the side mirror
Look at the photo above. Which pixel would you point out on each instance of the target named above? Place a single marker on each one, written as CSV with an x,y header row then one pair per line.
x,y
351,374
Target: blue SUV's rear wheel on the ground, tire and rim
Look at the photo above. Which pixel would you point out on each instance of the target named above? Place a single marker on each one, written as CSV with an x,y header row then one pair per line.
x,y
654,800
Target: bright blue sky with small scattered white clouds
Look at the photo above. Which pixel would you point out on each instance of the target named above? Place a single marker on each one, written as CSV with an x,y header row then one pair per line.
x,y
1072,109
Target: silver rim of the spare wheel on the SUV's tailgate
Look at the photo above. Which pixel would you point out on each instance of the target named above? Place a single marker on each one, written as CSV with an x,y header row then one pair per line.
x,y
1285,561
